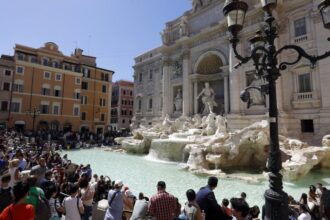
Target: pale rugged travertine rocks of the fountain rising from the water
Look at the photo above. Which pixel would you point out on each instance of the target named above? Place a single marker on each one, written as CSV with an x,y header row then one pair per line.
x,y
205,146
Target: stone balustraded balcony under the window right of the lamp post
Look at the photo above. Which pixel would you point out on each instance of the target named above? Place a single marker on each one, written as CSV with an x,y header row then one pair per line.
x,y
306,100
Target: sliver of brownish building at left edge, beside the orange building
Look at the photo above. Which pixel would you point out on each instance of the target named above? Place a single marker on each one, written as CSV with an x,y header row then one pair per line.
x,y
6,77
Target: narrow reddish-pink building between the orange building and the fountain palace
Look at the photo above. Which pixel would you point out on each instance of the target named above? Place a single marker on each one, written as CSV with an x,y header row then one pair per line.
x,y
122,105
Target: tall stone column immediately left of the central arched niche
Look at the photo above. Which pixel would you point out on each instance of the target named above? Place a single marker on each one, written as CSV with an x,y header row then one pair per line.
x,y
186,84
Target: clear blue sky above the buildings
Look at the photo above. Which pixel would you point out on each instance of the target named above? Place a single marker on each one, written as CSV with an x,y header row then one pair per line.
x,y
114,31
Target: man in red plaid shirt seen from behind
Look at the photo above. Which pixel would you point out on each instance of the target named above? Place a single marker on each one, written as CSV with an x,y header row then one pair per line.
x,y
162,205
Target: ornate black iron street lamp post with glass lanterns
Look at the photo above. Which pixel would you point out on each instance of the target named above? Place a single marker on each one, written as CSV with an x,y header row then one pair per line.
x,y
264,56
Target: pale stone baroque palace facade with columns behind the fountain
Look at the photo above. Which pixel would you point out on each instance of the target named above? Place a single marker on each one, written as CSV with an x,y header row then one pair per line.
x,y
196,50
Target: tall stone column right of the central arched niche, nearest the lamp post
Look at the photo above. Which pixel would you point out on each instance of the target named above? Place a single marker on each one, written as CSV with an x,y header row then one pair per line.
x,y
234,81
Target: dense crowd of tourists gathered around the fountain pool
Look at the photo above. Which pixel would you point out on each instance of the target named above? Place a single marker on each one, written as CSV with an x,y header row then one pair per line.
x,y
38,183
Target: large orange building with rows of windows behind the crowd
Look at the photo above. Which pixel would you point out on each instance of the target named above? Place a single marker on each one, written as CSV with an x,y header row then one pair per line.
x,y
58,92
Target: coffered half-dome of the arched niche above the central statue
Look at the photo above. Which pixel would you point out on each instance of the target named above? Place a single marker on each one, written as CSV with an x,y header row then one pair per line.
x,y
210,62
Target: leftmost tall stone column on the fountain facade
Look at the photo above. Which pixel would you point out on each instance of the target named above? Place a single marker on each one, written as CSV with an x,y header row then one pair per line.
x,y
166,86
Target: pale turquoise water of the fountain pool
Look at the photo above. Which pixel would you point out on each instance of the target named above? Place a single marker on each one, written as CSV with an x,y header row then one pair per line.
x,y
142,175
